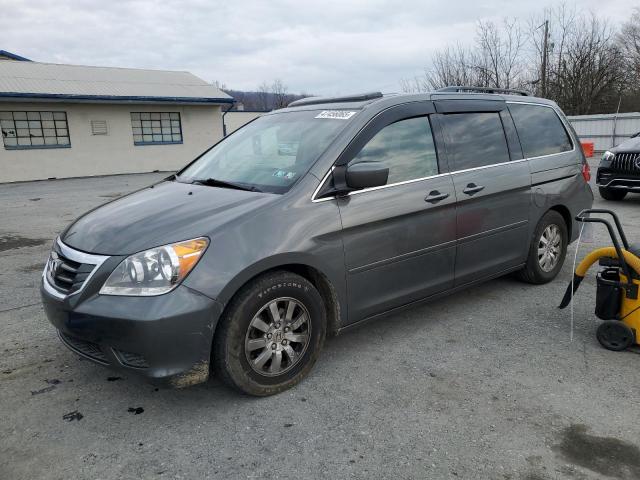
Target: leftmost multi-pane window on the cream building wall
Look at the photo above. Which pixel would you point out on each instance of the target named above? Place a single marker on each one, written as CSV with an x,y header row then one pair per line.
x,y
22,130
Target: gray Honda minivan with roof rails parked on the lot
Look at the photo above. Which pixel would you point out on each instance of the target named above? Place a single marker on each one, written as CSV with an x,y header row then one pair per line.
x,y
313,219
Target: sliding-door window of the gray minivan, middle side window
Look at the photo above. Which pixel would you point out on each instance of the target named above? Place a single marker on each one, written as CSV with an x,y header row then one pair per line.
x,y
475,139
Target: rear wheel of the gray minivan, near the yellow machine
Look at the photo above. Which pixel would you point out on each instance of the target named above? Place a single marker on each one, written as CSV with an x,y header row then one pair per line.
x,y
536,271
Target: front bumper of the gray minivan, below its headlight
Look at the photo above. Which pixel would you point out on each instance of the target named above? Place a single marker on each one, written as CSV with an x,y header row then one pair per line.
x,y
166,338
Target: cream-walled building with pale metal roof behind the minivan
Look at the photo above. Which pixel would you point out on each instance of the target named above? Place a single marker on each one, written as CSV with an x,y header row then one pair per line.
x,y
68,120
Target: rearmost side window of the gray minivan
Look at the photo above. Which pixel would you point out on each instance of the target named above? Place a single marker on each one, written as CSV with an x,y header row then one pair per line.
x,y
540,130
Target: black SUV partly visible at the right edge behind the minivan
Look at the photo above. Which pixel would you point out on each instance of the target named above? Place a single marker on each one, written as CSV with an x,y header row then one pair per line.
x,y
619,170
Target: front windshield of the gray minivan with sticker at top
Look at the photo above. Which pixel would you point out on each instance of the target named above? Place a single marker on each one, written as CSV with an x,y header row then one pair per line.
x,y
270,154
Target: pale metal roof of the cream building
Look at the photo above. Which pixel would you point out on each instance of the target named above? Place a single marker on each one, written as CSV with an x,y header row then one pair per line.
x,y
48,81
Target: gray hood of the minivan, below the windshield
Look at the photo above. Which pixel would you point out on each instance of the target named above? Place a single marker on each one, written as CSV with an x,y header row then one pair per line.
x,y
164,213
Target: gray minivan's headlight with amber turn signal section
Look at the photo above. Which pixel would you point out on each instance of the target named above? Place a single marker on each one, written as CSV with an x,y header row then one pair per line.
x,y
155,271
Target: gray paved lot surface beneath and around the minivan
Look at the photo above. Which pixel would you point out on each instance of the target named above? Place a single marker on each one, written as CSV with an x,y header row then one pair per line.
x,y
485,384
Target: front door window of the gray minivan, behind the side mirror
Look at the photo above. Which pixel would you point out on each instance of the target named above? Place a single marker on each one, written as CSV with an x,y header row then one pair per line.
x,y
406,147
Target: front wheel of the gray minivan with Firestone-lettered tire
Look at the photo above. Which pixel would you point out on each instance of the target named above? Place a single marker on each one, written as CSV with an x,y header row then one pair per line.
x,y
245,359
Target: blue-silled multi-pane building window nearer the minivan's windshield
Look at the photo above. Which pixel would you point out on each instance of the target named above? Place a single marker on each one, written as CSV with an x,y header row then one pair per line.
x,y
154,128
